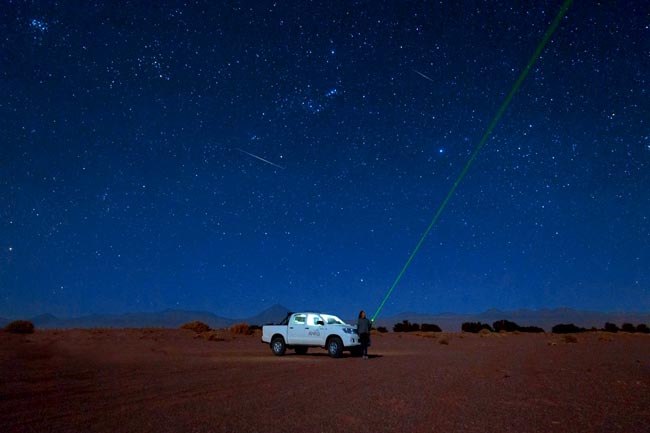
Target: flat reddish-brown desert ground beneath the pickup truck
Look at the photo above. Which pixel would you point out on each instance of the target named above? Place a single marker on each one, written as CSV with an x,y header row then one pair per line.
x,y
173,380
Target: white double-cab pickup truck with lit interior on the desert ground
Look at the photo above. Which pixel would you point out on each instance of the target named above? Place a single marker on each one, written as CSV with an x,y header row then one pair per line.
x,y
300,331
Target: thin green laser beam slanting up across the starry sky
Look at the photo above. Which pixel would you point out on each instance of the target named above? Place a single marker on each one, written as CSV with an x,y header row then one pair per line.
x,y
484,138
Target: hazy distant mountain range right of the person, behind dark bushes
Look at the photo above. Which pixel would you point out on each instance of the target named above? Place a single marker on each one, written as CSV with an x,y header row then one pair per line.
x,y
545,319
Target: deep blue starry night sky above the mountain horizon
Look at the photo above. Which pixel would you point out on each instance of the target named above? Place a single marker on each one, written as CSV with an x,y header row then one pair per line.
x,y
228,156
